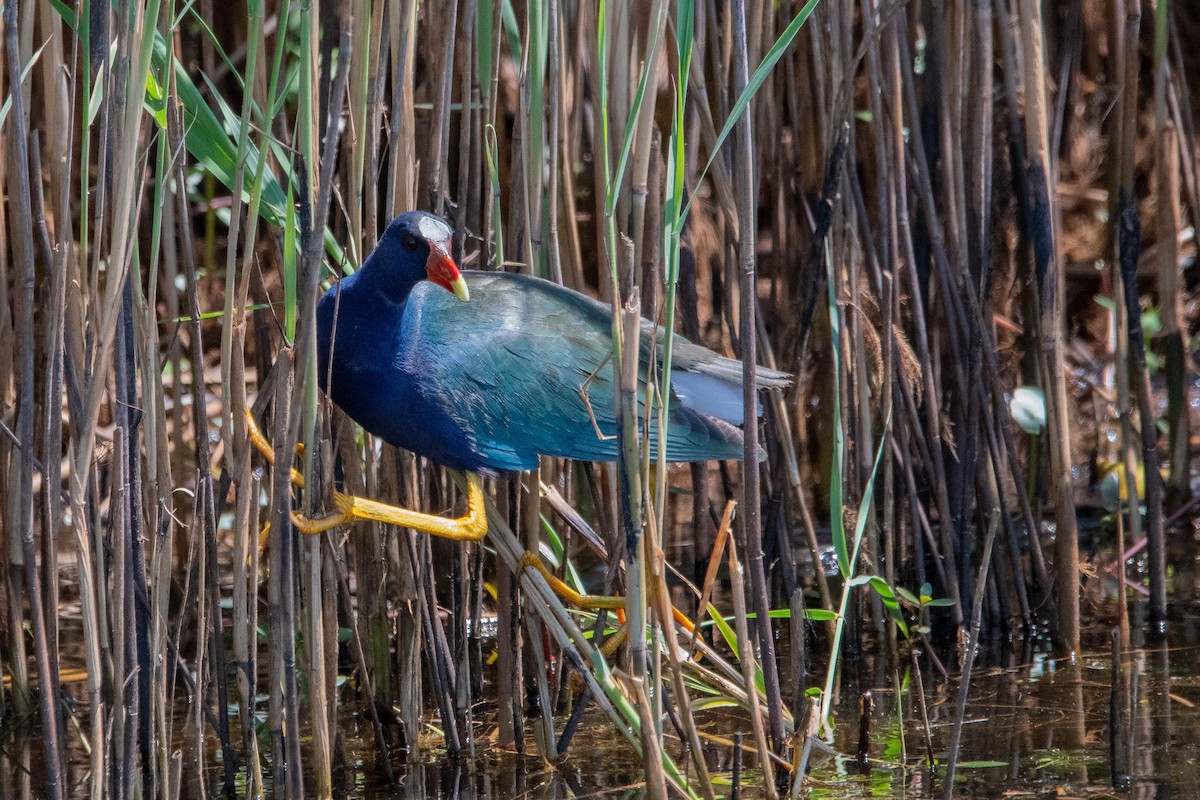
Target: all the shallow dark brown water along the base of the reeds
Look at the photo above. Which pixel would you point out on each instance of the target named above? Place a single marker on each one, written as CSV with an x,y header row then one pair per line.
x,y
1036,727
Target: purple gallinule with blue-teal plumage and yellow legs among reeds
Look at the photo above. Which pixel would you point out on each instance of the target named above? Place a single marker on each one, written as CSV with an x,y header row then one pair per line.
x,y
484,372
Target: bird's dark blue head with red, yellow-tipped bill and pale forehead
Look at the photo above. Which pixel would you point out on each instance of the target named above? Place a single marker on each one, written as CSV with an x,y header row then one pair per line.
x,y
417,248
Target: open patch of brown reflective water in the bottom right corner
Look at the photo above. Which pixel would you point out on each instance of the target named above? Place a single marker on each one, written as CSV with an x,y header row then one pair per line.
x,y
1037,727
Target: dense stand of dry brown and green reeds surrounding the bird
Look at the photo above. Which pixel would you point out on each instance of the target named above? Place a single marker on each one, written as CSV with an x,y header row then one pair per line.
x,y
872,202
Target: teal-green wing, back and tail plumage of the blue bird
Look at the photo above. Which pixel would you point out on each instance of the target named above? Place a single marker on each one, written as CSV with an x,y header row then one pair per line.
x,y
526,369
